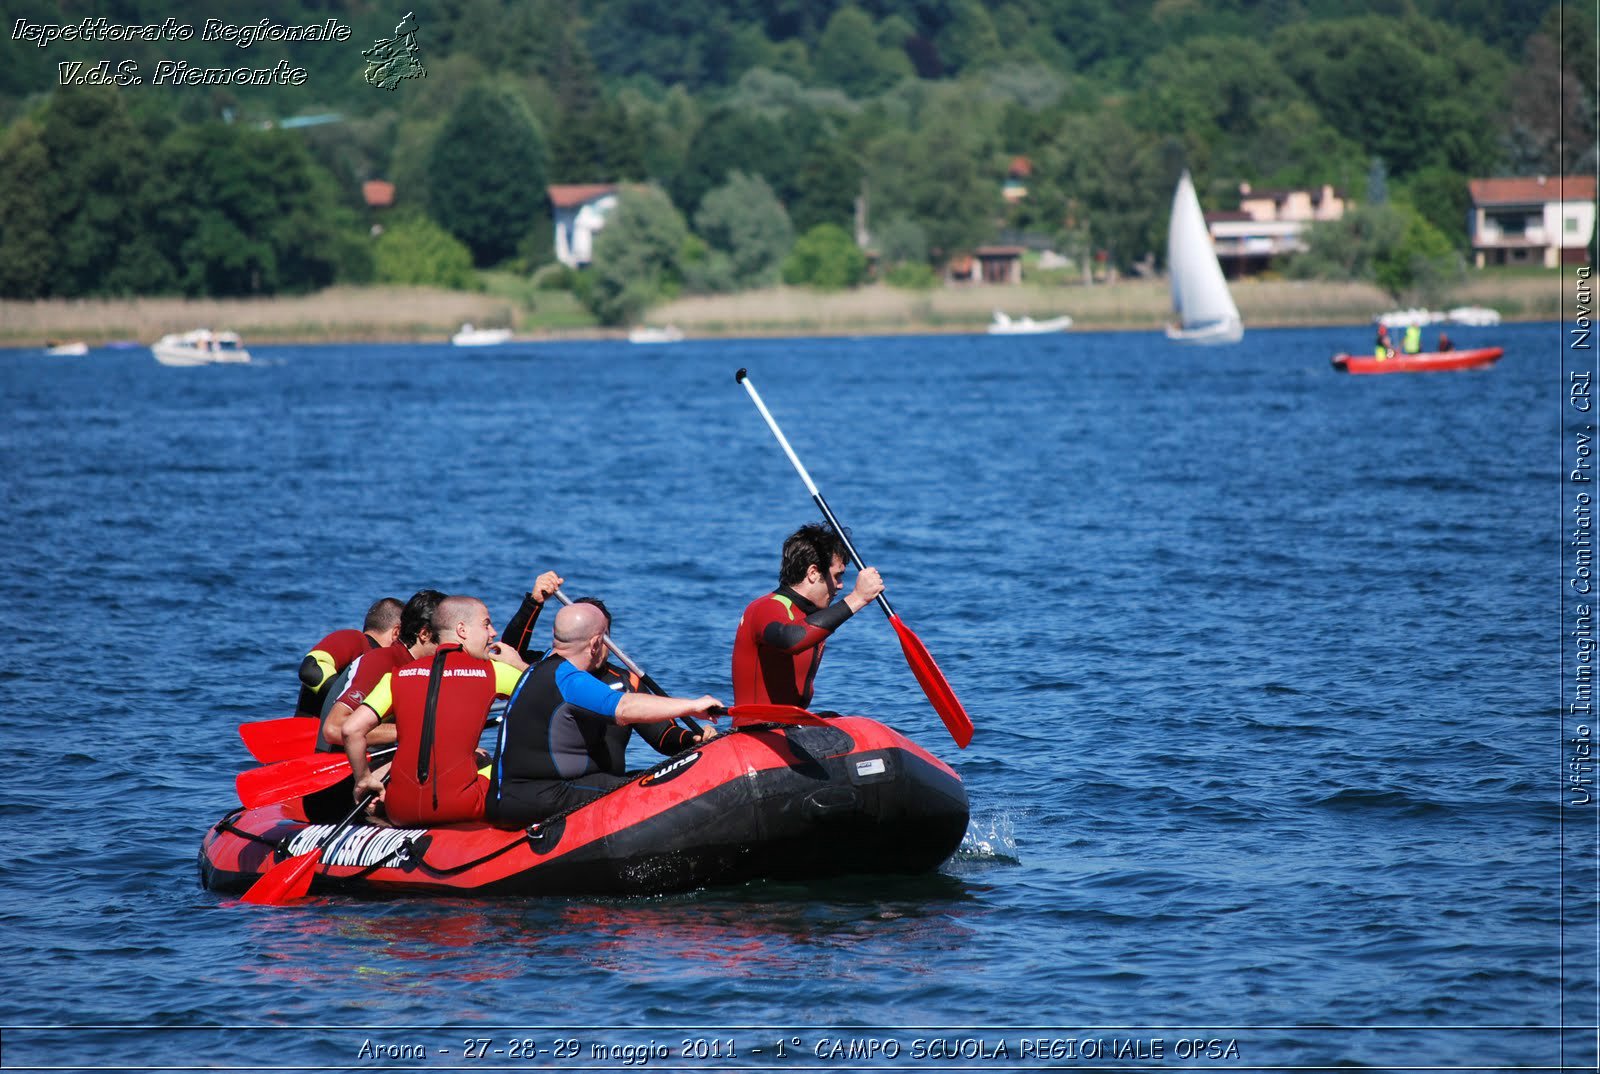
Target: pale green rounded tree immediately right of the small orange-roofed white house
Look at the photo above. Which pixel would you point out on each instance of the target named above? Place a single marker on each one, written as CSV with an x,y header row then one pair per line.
x,y
639,255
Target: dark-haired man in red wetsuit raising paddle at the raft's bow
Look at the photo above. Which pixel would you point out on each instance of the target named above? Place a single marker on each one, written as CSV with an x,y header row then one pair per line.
x,y
782,636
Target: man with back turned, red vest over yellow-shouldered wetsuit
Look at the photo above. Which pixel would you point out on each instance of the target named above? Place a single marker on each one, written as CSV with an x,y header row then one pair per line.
x,y
439,705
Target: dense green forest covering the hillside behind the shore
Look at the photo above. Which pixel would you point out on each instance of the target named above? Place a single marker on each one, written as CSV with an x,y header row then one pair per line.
x,y
756,137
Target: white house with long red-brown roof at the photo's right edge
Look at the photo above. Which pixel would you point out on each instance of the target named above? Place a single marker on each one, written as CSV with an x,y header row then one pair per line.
x,y
1540,220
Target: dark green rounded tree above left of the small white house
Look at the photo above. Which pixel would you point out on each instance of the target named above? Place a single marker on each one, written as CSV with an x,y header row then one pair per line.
x,y
487,175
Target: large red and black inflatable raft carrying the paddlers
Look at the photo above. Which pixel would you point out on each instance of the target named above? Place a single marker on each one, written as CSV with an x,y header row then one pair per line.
x,y
769,803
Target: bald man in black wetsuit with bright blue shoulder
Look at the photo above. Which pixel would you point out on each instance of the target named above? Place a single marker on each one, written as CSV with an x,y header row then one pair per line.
x,y
566,734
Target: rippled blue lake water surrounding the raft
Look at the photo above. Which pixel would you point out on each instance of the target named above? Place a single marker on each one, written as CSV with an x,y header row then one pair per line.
x,y
1265,665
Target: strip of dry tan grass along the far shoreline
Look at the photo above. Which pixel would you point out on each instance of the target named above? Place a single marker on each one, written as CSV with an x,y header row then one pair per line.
x,y
350,315
